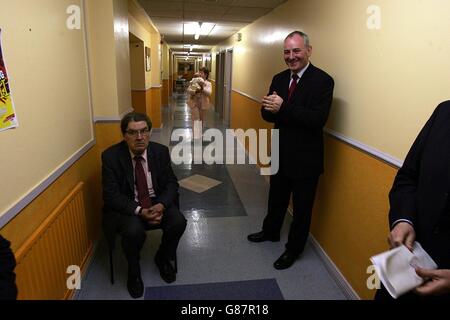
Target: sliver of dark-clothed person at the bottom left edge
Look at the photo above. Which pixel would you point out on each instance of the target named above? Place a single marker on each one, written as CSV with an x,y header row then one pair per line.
x,y
8,288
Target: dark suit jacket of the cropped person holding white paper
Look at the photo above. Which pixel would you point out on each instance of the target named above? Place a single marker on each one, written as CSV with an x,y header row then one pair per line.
x,y
420,192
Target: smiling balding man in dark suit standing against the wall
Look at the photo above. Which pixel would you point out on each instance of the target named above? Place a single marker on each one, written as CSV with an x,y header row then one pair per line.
x,y
298,102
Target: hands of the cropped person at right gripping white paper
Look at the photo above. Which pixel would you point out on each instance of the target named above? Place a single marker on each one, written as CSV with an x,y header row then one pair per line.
x,y
436,281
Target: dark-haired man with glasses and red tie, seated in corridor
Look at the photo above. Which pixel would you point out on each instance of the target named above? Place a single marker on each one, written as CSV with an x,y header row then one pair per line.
x,y
140,191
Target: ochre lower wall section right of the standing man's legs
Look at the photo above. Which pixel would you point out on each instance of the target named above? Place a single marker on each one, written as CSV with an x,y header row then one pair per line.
x,y
350,213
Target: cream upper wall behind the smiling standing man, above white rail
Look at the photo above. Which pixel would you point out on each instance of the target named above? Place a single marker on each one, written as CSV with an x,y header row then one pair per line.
x,y
382,76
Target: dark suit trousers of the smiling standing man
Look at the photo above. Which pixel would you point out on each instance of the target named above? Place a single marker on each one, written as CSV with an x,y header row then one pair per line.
x,y
303,191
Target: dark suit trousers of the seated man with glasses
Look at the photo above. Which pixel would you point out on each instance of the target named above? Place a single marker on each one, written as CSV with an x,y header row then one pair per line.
x,y
133,232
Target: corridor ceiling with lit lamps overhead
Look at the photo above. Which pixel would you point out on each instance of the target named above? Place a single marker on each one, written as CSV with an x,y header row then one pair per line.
x,y
227,17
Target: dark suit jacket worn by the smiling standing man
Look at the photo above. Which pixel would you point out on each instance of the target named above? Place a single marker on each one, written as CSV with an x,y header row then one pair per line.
x,y
301,119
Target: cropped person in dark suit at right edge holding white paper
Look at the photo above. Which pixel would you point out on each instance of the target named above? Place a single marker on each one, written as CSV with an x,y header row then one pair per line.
x,y
420,204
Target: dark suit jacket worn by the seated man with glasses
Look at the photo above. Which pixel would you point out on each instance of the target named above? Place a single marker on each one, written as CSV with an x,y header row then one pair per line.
x,y
118,182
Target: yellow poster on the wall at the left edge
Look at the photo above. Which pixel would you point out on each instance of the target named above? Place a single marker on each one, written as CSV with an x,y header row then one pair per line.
x,y
8,117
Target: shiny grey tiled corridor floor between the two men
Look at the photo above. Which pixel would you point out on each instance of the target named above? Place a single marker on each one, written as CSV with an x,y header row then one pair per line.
x,y
214,248
